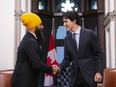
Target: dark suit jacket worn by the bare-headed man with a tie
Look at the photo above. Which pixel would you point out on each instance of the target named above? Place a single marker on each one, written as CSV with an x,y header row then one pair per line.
x,y
89,57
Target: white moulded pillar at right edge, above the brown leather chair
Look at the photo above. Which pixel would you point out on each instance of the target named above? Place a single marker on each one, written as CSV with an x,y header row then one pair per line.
x,y
110,32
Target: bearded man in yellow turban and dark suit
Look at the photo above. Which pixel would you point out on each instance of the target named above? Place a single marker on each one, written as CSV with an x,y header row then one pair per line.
x,y
29,64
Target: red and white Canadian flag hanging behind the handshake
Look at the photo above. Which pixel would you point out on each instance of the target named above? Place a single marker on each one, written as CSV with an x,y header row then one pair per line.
x,y
51,60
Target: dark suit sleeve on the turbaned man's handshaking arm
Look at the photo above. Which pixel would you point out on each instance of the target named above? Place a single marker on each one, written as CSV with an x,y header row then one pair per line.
x,y
32,50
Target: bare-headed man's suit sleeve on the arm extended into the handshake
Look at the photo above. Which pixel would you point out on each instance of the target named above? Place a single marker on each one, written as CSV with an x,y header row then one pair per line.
x,y
67,57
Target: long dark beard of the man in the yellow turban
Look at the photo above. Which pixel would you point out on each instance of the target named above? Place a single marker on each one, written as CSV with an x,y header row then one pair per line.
x,y
39,34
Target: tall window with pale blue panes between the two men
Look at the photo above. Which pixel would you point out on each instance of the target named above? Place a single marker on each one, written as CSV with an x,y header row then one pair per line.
x,y
60,33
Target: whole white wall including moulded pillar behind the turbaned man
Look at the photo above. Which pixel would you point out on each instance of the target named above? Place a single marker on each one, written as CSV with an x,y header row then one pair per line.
x,y
11,30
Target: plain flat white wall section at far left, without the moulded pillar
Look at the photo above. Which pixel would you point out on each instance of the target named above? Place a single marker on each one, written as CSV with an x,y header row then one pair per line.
x,y
6,34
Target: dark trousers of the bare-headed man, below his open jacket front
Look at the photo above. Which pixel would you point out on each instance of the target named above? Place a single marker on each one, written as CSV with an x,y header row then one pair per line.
x,y
80,81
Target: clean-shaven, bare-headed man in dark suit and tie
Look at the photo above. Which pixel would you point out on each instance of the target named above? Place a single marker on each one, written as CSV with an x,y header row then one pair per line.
x,y
83,50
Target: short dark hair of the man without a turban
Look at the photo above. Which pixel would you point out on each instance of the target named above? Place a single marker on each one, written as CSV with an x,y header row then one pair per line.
x,y
72,15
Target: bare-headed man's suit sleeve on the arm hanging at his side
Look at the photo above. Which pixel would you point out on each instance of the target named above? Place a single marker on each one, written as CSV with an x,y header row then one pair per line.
x,y
99,56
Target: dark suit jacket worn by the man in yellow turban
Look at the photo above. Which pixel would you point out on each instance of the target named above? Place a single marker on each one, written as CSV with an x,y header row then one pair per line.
x,y
29,64
